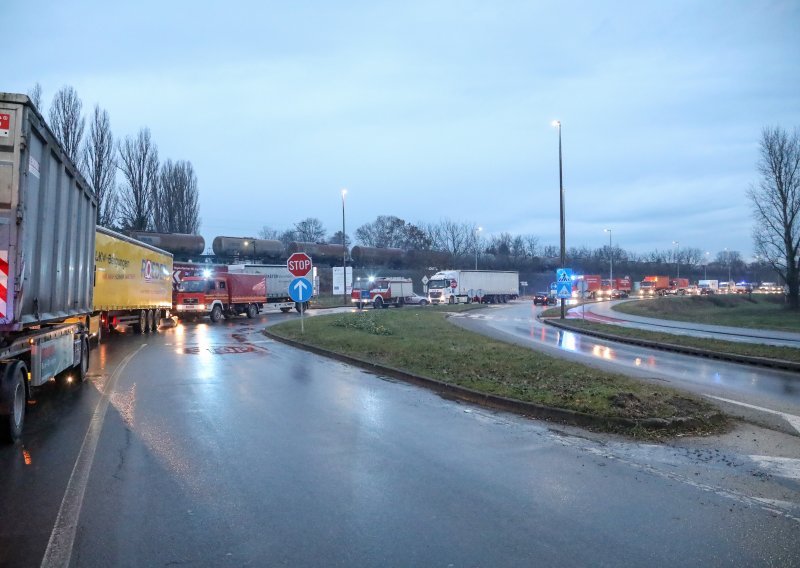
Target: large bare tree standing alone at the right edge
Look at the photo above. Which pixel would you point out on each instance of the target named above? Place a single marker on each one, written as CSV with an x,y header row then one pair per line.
x,y
776,207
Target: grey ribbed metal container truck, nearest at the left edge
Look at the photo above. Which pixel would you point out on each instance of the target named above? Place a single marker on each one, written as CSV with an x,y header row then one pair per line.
x,y
48,214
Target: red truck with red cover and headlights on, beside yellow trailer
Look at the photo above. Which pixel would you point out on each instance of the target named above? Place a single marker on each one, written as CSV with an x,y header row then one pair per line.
x,y
223,294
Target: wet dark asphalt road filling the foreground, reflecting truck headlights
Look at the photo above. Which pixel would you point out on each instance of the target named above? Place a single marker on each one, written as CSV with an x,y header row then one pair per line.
x,y
212,446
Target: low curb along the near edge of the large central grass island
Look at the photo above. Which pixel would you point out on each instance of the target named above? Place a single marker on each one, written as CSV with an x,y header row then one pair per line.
x,y
528,409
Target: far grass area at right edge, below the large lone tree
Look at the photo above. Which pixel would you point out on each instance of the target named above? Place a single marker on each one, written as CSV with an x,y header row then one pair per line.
x,y
761,311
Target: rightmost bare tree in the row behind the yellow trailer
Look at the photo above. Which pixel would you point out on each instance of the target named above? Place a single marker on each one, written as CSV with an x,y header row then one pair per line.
x,y
176,207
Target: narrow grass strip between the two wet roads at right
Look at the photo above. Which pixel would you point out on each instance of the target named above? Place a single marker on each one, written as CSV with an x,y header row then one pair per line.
x,y
790,354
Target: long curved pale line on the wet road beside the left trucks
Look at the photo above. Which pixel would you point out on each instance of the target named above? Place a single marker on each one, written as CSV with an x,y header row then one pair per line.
x,y
62,539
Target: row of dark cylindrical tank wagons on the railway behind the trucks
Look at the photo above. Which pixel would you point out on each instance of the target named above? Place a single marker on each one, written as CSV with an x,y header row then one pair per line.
x,y
237,249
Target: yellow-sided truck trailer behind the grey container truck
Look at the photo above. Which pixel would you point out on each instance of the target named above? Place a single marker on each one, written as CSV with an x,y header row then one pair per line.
x,y
132,284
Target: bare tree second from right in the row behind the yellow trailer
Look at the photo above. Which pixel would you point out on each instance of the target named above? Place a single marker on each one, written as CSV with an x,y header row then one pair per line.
x,y
138,161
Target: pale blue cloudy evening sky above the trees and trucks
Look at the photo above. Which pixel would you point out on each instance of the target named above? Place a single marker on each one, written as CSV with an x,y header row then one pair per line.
x,y
439,110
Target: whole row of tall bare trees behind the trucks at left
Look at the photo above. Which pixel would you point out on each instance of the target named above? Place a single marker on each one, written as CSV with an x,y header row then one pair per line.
x,y
153,195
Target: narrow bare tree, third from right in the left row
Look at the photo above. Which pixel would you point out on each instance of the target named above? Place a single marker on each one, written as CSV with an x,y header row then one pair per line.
x,y
100,168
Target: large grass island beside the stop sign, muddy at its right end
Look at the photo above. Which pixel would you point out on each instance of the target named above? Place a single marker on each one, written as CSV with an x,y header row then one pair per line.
x,y
422,342
